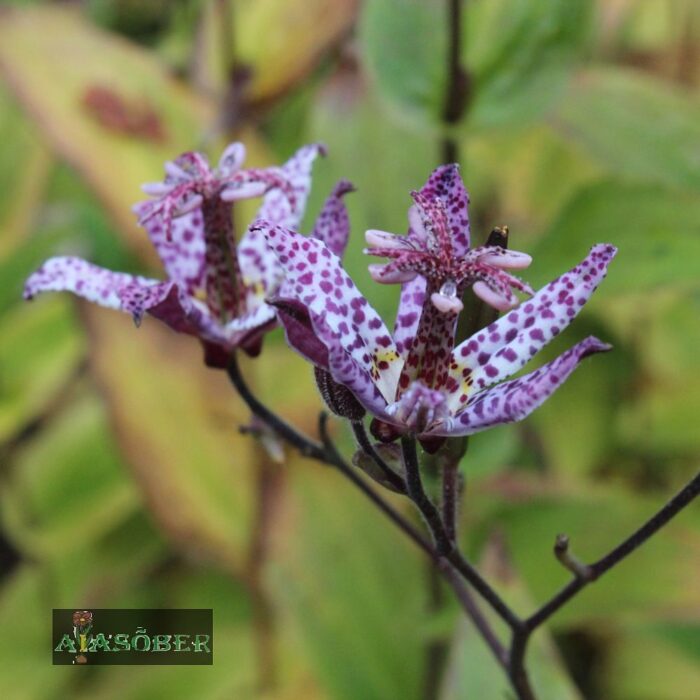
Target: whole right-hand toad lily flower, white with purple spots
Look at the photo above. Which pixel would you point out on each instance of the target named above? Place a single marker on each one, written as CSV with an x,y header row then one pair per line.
x,y
417,380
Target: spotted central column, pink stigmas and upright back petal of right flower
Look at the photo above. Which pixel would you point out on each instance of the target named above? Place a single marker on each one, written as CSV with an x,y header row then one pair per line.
x,y
436,264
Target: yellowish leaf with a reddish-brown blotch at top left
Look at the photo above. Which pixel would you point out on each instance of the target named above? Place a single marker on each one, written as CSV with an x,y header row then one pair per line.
x,y
57,64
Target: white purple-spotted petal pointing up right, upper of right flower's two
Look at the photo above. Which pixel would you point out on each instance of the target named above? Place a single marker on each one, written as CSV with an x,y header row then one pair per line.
x,y
501,349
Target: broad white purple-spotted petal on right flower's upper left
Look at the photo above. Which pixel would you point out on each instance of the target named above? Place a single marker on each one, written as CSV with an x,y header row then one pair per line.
x,y
316,281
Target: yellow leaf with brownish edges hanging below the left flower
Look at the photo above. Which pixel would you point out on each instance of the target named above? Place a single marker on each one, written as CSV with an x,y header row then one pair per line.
x,y
177,425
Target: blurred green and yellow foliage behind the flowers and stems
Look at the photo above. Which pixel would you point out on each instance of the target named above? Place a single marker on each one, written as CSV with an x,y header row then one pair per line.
x,y
123,479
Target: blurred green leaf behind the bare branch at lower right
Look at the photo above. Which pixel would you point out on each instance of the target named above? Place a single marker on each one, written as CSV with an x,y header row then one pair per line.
x,y
597,521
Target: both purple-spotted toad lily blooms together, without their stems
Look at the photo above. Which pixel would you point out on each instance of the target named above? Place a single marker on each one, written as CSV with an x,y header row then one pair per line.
x,y
416,380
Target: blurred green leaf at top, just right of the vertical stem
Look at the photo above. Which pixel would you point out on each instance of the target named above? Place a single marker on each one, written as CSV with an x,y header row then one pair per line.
x,y
521,55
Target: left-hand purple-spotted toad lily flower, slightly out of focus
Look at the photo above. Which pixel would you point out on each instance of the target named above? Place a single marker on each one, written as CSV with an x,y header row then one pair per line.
x,y
216,288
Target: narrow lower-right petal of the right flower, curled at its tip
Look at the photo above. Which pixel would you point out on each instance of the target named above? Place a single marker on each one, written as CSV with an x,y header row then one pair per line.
x,y
514,400
